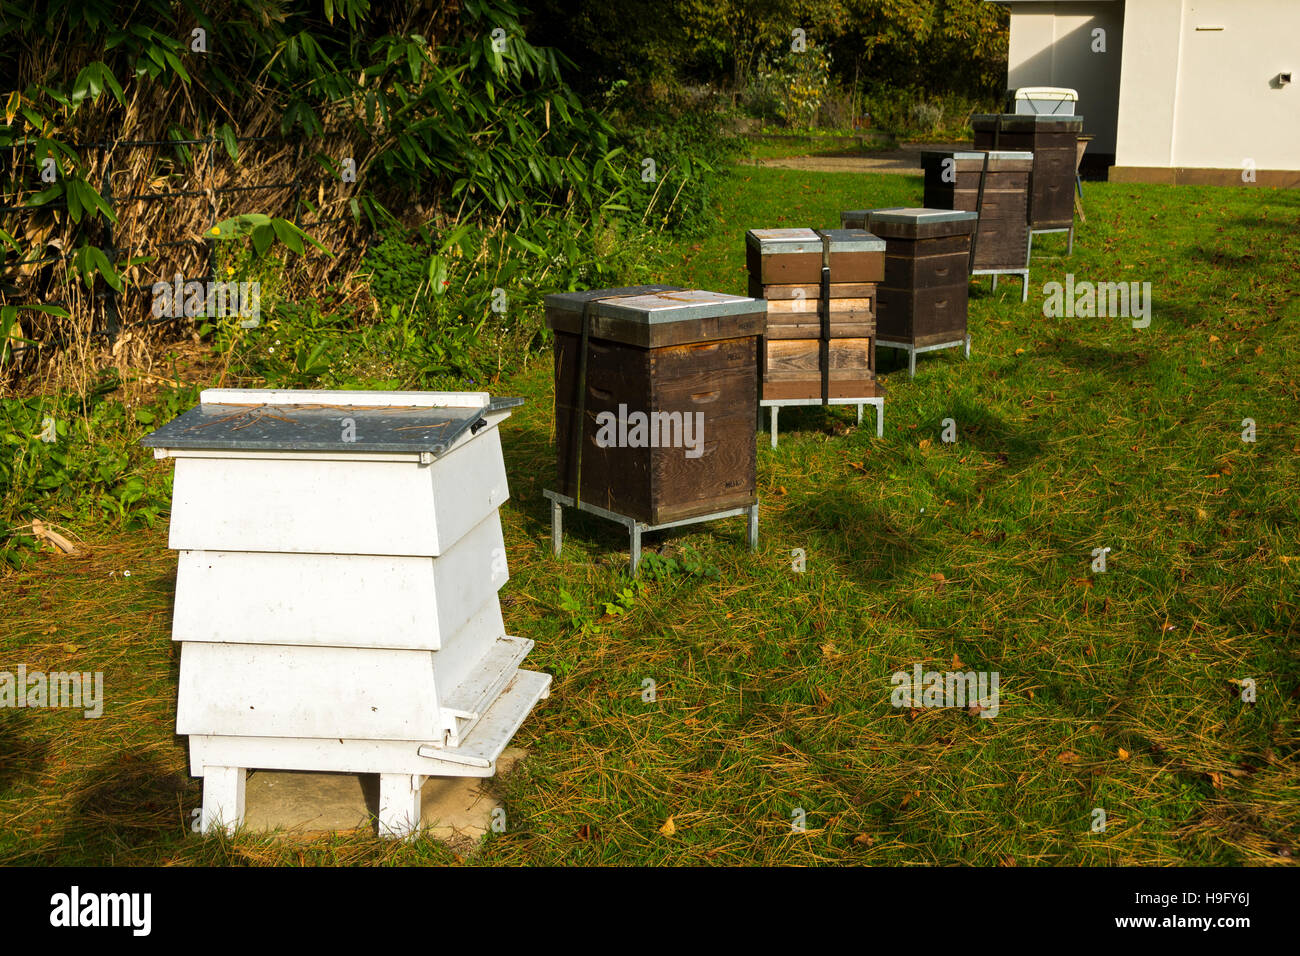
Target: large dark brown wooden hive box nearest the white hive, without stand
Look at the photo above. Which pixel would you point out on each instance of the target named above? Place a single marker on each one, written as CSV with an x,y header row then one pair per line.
x,y
661,352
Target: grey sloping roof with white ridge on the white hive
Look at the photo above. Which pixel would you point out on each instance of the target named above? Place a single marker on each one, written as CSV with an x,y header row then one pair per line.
x,y
314,421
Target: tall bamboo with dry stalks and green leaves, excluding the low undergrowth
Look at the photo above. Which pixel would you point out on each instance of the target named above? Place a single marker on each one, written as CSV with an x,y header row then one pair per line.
x,y
168,119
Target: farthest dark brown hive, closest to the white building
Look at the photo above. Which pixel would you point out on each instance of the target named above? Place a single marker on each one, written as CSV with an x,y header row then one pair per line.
x,y
1054,141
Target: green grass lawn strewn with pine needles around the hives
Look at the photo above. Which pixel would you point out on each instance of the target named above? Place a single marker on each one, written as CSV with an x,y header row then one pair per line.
x,y
1120,691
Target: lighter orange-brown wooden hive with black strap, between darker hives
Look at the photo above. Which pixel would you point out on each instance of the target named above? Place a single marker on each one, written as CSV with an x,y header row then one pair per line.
x,y
821,292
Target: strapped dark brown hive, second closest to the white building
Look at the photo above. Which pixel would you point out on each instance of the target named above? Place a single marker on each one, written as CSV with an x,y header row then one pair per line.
x,y
994,184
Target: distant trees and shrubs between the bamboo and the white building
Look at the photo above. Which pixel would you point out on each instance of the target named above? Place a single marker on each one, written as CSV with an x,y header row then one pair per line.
x,y
834,64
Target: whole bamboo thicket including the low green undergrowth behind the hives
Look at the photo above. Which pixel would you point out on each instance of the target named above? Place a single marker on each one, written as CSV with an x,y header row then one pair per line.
x,y
484,180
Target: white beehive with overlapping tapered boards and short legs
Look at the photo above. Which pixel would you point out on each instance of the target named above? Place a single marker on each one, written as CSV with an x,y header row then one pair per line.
x,y
340,559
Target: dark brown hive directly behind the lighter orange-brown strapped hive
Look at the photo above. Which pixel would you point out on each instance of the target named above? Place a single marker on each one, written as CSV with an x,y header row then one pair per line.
x,y
922,300
